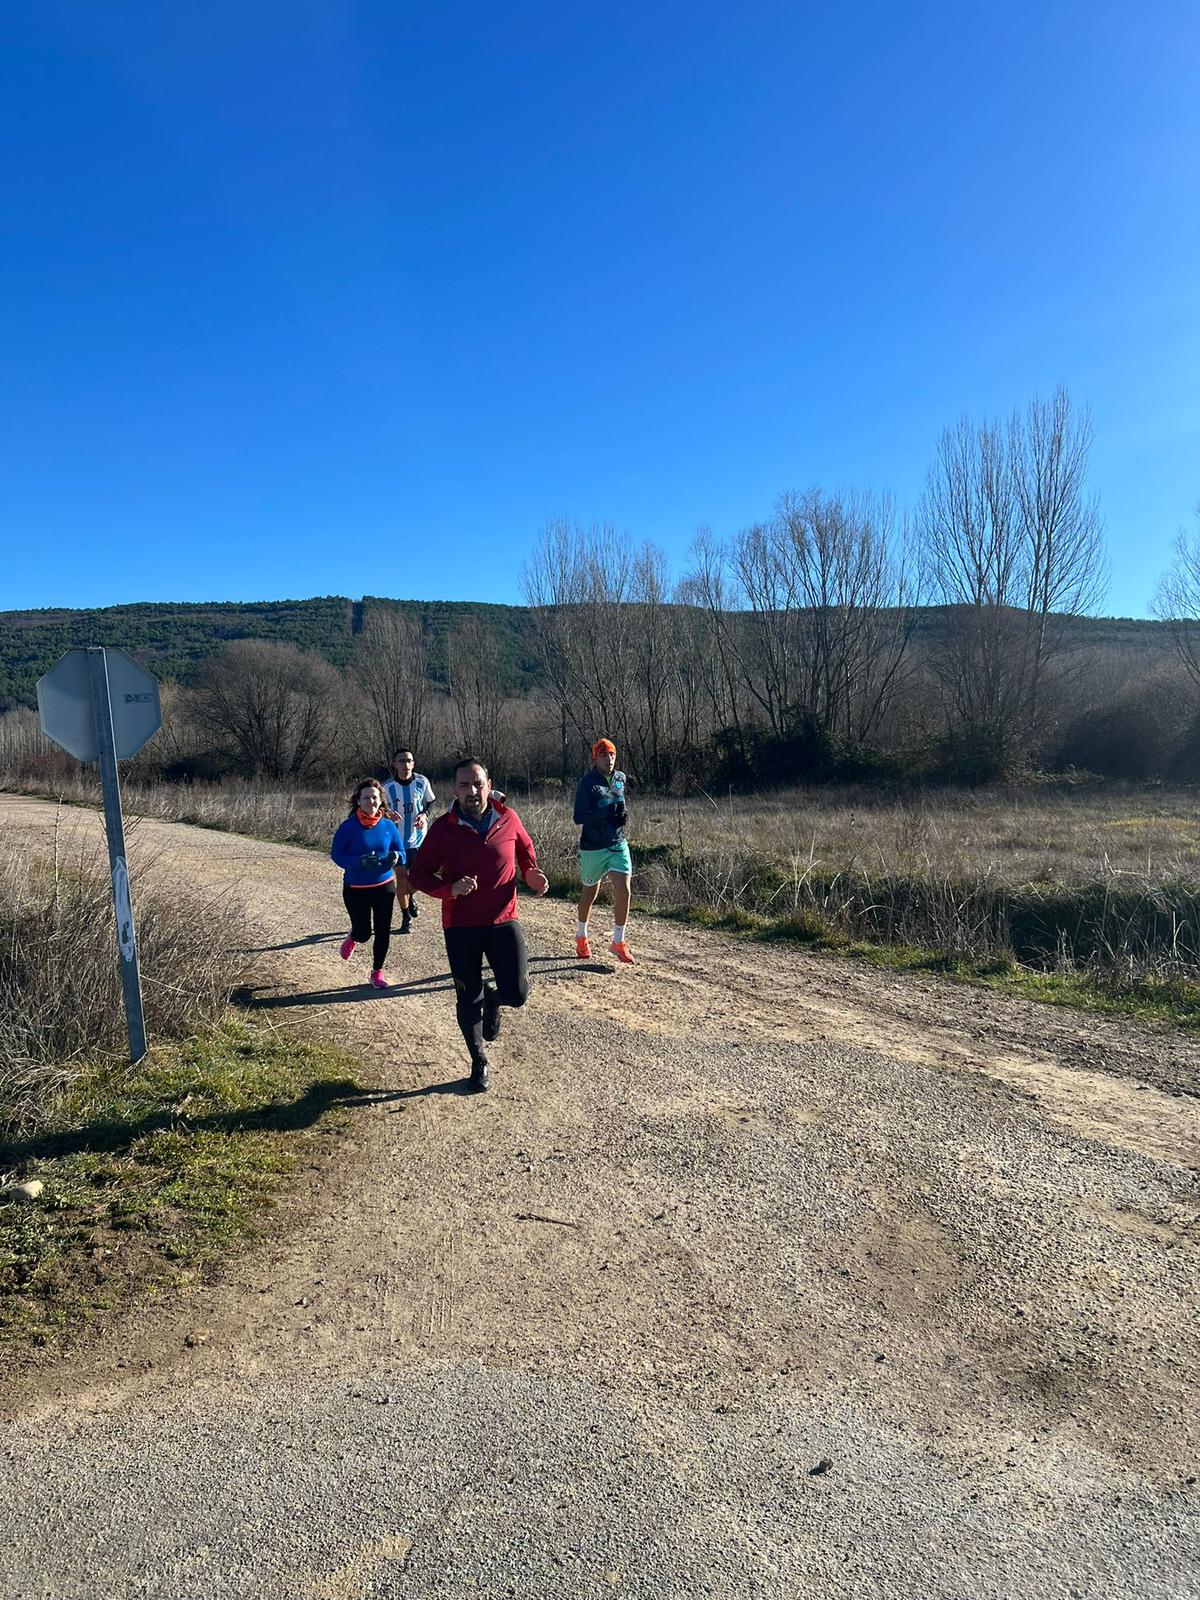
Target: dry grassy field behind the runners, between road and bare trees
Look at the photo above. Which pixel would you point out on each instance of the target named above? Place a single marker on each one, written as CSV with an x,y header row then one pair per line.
x,y
1052,881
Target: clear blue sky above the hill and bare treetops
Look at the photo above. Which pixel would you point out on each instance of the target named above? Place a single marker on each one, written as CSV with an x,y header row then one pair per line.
x,y
337,298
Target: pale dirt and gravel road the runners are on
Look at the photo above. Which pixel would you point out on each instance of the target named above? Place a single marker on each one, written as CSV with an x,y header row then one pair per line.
x,y
756,1274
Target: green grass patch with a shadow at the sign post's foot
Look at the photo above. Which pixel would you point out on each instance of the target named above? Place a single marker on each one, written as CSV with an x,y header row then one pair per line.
x,y
154,1172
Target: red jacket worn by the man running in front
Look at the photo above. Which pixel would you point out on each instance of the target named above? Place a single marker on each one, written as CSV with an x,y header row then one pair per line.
x,y
454,850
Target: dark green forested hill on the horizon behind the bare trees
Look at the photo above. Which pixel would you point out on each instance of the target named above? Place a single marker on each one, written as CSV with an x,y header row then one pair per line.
x,y
175,639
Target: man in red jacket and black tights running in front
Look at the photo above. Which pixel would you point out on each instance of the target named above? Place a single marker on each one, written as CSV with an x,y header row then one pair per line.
x,y
470,862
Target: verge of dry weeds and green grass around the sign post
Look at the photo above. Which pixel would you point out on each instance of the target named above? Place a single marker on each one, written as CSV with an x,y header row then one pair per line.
x,y
121,1182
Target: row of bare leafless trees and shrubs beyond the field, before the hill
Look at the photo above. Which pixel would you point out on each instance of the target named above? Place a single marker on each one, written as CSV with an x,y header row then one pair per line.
x,y
838,639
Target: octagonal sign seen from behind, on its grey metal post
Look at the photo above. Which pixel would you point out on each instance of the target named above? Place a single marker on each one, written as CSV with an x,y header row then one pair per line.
x,y
102,706
